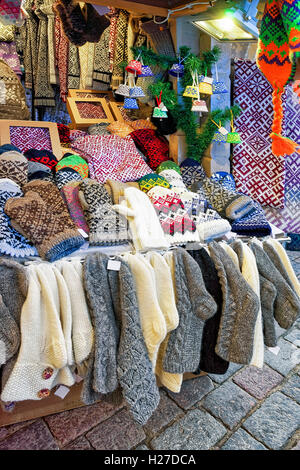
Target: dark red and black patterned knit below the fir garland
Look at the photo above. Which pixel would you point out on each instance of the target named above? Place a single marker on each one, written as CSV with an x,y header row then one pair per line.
x,y
154,147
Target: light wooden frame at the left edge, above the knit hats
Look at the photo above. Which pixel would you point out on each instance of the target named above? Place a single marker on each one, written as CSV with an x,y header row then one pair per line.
x,y
6,137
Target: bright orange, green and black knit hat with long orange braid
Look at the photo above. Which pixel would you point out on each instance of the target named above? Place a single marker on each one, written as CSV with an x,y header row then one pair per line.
x,y
278,49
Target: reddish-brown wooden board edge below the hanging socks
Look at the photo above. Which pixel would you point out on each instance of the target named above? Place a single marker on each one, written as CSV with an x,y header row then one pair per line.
x,y
32,409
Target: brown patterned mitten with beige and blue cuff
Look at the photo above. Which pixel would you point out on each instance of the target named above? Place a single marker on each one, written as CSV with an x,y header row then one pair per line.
x,y
48,232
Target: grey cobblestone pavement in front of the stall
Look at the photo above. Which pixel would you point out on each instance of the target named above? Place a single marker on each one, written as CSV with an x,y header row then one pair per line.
x,y
246,408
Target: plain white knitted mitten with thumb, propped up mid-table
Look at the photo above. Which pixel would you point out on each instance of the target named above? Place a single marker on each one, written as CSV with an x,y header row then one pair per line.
x,y
144,224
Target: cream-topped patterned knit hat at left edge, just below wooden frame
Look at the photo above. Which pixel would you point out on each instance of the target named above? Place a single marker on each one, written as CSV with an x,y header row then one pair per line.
x,y
13,165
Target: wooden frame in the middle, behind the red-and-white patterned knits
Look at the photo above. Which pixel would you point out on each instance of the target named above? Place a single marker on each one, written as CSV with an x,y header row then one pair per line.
x,y
79,122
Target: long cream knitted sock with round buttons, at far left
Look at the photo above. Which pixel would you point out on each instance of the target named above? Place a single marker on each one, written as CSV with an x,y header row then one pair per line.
x,y
42,352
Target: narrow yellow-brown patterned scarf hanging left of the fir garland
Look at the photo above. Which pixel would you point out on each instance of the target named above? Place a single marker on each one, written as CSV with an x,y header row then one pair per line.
x,y
121,52
